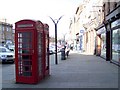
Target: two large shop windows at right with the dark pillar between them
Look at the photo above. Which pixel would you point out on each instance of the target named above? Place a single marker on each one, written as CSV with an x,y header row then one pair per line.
x,y
108,42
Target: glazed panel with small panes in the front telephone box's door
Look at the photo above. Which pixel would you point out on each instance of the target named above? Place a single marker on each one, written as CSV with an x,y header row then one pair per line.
x,y
25,53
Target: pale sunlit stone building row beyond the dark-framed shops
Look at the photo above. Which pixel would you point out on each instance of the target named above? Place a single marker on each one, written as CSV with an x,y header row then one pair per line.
x,y
88,16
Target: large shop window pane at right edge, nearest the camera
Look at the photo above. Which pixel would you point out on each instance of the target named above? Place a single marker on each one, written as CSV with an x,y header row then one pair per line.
x,y
115,29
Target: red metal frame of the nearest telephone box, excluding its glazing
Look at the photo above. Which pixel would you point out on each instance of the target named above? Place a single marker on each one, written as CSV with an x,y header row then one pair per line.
x,y
34,27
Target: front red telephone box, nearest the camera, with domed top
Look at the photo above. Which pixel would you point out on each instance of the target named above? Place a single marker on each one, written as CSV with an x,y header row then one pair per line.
x,y
29,56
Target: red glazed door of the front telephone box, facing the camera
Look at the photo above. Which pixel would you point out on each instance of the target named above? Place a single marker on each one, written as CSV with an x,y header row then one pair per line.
x,y
25,56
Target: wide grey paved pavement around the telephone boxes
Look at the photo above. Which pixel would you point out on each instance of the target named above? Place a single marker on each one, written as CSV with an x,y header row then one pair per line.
x,y
79,70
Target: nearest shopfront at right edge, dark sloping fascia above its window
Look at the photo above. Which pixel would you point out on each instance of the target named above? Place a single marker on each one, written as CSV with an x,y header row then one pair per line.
x,y
113,20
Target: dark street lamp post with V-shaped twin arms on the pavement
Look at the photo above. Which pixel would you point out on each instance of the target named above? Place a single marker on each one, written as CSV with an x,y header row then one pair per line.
x,y
55,23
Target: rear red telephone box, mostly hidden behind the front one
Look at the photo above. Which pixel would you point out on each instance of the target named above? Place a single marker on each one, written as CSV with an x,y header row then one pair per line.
x,y
46,48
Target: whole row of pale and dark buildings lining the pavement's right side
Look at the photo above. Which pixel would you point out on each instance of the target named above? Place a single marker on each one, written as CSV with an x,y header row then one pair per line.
x,y
100,21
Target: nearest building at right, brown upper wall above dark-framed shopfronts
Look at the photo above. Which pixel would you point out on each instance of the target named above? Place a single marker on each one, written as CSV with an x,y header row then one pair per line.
x,y
108,33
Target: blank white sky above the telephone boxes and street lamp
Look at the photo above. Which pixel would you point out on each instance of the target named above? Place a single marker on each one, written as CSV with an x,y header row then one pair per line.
x,y
15,10
